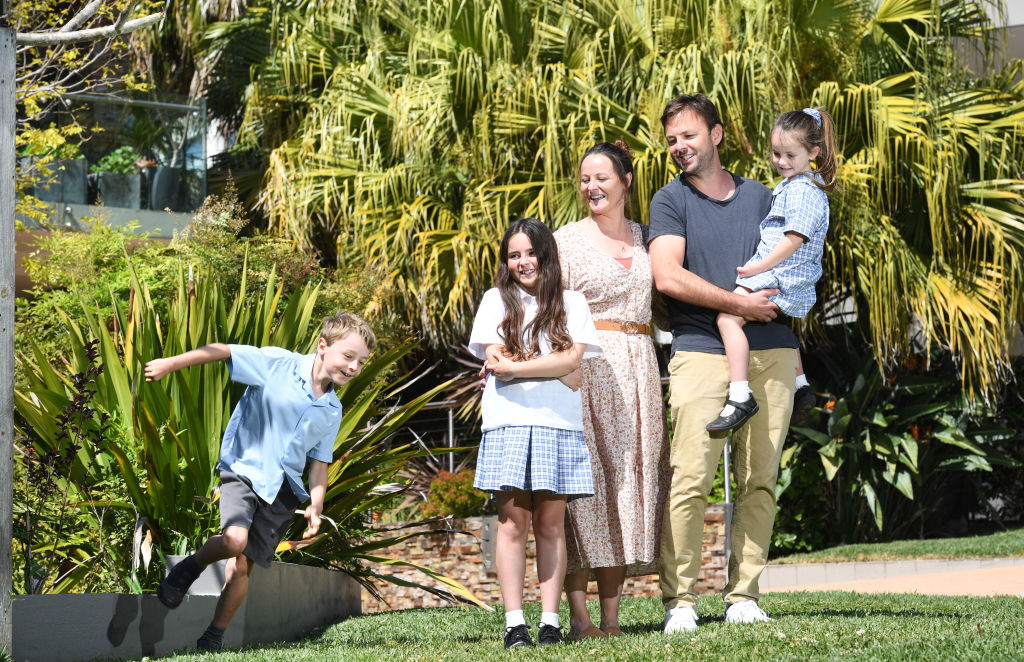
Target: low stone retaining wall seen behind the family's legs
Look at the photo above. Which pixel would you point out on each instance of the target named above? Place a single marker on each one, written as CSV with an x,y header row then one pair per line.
x,y
467,558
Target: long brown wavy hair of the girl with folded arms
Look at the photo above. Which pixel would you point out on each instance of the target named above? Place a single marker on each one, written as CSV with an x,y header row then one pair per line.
x,y
524,343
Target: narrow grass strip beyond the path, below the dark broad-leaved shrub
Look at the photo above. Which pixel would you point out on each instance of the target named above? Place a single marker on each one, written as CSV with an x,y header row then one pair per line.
x,y
1004,544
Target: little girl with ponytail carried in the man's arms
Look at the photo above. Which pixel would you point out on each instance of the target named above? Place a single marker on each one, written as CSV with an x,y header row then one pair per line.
x,y
789,257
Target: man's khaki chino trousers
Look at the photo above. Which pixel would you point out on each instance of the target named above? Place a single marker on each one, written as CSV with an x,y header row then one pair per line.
x,y
698,389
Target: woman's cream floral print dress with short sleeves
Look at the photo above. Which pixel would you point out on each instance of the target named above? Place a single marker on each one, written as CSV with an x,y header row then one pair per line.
x,y
623,413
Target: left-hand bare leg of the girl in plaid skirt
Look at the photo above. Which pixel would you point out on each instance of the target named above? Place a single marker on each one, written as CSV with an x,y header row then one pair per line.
x,y
510,551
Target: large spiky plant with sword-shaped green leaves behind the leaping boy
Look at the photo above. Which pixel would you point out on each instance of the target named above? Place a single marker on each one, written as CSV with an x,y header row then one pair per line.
x,y
150,449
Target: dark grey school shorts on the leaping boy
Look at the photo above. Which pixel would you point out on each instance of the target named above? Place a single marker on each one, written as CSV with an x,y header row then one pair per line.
x,y
240,507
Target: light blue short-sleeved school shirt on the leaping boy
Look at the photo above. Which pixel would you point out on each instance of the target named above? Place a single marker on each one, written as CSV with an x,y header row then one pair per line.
x,y
278,424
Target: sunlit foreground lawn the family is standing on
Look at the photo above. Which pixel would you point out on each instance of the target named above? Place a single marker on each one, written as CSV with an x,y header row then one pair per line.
x,y
830,627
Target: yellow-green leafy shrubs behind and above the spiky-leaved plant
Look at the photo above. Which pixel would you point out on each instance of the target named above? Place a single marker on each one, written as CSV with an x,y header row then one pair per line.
x,y
80,273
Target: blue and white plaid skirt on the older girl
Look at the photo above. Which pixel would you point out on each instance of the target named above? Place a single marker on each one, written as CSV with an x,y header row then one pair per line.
x,y
535,460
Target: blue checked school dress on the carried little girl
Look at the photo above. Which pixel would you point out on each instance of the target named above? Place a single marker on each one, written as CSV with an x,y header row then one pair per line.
x,y
799,206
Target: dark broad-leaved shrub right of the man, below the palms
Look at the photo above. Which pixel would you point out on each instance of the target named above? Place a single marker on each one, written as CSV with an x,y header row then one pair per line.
x,y
901,456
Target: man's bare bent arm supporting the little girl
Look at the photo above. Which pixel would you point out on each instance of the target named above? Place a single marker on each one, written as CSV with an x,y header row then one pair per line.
x,y
667,253
